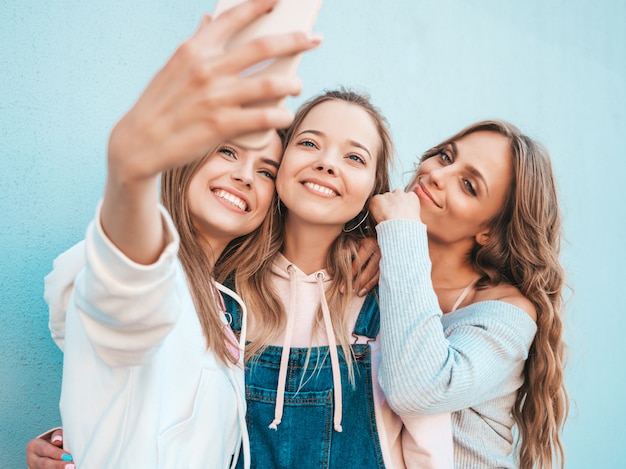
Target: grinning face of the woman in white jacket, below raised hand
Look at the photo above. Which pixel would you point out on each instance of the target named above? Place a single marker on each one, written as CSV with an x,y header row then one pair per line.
x,y
230,194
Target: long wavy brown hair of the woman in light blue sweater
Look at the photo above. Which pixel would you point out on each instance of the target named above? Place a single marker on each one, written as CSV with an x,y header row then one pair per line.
x,y
523,250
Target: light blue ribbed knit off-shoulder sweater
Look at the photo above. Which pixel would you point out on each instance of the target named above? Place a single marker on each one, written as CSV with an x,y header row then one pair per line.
x,y
468,362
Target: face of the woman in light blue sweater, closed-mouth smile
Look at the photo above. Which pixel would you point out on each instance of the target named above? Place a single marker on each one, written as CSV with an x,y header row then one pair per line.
x,y
464,186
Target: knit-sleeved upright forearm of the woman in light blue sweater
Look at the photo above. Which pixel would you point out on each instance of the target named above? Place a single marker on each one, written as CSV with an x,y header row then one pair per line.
x,y
415,352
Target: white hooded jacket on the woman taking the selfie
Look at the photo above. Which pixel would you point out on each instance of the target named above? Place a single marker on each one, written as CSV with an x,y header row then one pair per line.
x,y
140,390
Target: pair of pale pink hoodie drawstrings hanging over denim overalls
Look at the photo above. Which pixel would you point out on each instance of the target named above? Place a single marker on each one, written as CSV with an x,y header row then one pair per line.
x,y
284,359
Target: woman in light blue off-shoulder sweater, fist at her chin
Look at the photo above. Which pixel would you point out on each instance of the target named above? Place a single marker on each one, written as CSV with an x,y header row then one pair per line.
x,y
471,296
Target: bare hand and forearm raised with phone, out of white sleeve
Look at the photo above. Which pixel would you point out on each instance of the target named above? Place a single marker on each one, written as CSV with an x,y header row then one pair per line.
x,y
196,101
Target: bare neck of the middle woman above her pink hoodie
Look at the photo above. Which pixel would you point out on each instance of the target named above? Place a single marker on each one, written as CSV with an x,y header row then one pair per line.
x,y
307,245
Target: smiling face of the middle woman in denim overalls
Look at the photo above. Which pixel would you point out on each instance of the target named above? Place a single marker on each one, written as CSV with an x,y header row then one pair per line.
x,y
329,165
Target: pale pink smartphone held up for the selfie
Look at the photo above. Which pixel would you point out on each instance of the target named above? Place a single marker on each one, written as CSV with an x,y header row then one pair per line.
x,y
287,16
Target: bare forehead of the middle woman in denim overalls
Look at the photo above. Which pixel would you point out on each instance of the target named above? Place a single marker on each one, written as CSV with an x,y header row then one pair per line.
x,y
343,122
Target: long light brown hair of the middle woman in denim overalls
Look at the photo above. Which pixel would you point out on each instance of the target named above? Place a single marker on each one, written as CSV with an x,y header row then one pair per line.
x,y
252,268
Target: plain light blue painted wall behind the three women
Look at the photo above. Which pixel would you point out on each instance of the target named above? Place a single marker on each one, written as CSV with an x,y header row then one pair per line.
x,y
69,69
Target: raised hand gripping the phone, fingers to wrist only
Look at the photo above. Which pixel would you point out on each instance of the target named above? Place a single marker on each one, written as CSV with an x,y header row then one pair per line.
x,y
198,99
